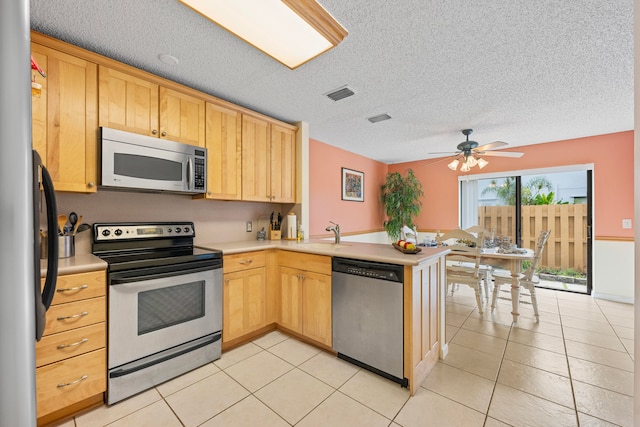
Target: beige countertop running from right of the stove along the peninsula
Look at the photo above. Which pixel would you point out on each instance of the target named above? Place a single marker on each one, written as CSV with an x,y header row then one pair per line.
x,y
354,250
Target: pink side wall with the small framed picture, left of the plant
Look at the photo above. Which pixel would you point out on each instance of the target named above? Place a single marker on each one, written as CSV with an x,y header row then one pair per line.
x,y
325,188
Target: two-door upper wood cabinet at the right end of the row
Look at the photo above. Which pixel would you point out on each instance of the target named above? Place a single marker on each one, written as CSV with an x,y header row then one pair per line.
x,y
268,161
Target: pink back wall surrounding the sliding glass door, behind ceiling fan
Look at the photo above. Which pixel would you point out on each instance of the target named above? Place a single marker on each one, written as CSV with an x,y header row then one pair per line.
x,y
611,155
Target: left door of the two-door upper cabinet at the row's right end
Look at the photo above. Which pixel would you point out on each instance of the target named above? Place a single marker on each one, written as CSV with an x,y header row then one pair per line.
x,y
256,184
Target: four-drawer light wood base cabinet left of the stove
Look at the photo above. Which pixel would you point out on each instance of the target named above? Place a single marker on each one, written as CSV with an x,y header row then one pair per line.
x,y
71,356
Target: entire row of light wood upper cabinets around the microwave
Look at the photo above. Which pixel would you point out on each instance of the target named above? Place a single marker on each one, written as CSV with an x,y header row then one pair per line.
x,y
250,156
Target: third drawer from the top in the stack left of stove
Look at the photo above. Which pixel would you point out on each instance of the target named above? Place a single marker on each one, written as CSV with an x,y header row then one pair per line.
x,y
57,347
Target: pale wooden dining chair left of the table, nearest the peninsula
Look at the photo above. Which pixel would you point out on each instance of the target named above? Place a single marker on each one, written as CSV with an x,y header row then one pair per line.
x,y
463,262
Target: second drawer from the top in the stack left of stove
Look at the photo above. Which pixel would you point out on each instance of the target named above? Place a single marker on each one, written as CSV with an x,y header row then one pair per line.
x,y
76,314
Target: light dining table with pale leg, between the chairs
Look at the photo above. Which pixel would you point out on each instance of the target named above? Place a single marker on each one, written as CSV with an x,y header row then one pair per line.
x,y
509,259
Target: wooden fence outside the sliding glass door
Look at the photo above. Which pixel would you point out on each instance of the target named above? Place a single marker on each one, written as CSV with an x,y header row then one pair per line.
x,y
567,244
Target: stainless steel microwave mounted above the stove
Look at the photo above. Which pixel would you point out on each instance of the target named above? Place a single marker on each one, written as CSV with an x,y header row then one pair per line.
x,y
131,161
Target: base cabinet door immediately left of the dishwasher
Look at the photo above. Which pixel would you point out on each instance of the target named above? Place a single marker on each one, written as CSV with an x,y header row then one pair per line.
x,y
316,307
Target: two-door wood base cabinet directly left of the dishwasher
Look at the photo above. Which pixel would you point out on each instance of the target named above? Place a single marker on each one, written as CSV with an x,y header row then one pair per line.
x,y
305,281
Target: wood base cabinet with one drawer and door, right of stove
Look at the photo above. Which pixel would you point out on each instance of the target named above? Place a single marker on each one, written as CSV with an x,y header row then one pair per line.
x,y
244,295
